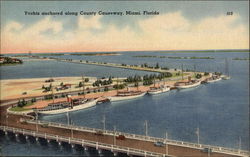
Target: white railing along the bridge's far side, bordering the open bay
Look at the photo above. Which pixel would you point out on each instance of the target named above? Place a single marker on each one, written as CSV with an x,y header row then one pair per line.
x,y
146,138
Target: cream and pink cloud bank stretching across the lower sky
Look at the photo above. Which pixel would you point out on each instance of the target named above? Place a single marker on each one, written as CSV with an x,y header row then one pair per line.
x,y
171,31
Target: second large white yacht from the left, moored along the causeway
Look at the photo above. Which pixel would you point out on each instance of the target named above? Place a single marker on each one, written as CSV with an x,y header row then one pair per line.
x,y
126,95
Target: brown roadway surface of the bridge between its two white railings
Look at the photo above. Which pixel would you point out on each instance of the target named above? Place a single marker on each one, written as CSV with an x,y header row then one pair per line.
x,y
174,150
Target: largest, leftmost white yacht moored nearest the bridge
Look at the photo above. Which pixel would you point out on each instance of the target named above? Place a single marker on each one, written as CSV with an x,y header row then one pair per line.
x,y
67,106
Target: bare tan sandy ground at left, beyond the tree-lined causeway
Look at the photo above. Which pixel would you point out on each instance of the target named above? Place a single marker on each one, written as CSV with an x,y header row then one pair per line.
x,y
14,88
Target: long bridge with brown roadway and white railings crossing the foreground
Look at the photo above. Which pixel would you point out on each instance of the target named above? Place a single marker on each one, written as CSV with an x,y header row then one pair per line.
x,y
100,139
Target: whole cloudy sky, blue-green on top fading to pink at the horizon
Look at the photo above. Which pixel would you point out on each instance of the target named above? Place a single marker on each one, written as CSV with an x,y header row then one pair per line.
x,y
180,25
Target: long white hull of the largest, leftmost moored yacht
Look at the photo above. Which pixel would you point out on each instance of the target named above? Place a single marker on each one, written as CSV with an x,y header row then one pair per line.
x,y
69,109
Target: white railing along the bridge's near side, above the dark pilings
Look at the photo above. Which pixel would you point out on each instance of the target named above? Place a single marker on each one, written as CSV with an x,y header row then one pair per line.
x,y
88,143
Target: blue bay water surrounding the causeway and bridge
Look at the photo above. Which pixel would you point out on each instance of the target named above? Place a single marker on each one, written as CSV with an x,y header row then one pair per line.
x,y
220,110
